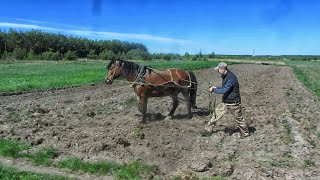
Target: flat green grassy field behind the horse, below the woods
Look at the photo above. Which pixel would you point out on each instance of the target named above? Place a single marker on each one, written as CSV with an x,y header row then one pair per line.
x,y
39,75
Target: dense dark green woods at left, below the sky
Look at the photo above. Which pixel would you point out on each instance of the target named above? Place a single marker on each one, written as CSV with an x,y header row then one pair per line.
x,y
40,45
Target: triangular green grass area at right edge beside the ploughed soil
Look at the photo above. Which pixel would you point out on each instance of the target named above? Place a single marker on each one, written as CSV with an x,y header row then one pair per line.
x,y
308,73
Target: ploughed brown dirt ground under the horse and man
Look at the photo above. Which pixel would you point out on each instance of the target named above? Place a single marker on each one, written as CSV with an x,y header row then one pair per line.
x,y
102,122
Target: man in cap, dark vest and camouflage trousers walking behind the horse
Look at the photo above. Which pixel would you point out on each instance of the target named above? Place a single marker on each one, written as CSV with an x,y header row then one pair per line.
x,y
231,100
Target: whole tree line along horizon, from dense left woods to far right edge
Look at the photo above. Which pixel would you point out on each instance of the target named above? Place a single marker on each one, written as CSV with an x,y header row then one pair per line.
x,y
38,45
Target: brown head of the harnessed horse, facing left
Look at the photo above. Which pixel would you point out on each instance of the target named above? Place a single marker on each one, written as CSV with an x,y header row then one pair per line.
x,y
115,68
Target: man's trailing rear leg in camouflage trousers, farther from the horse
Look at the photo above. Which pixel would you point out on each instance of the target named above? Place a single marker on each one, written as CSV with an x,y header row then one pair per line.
x,y
237,112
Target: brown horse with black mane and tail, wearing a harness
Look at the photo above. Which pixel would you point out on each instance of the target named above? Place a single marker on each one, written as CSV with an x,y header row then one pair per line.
x,y
148,82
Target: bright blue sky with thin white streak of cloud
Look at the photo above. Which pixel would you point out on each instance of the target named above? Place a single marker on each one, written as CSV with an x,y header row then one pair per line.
x,y
270,27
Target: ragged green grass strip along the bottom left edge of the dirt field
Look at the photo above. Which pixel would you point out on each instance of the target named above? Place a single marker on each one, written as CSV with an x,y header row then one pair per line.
x,y
45,156
